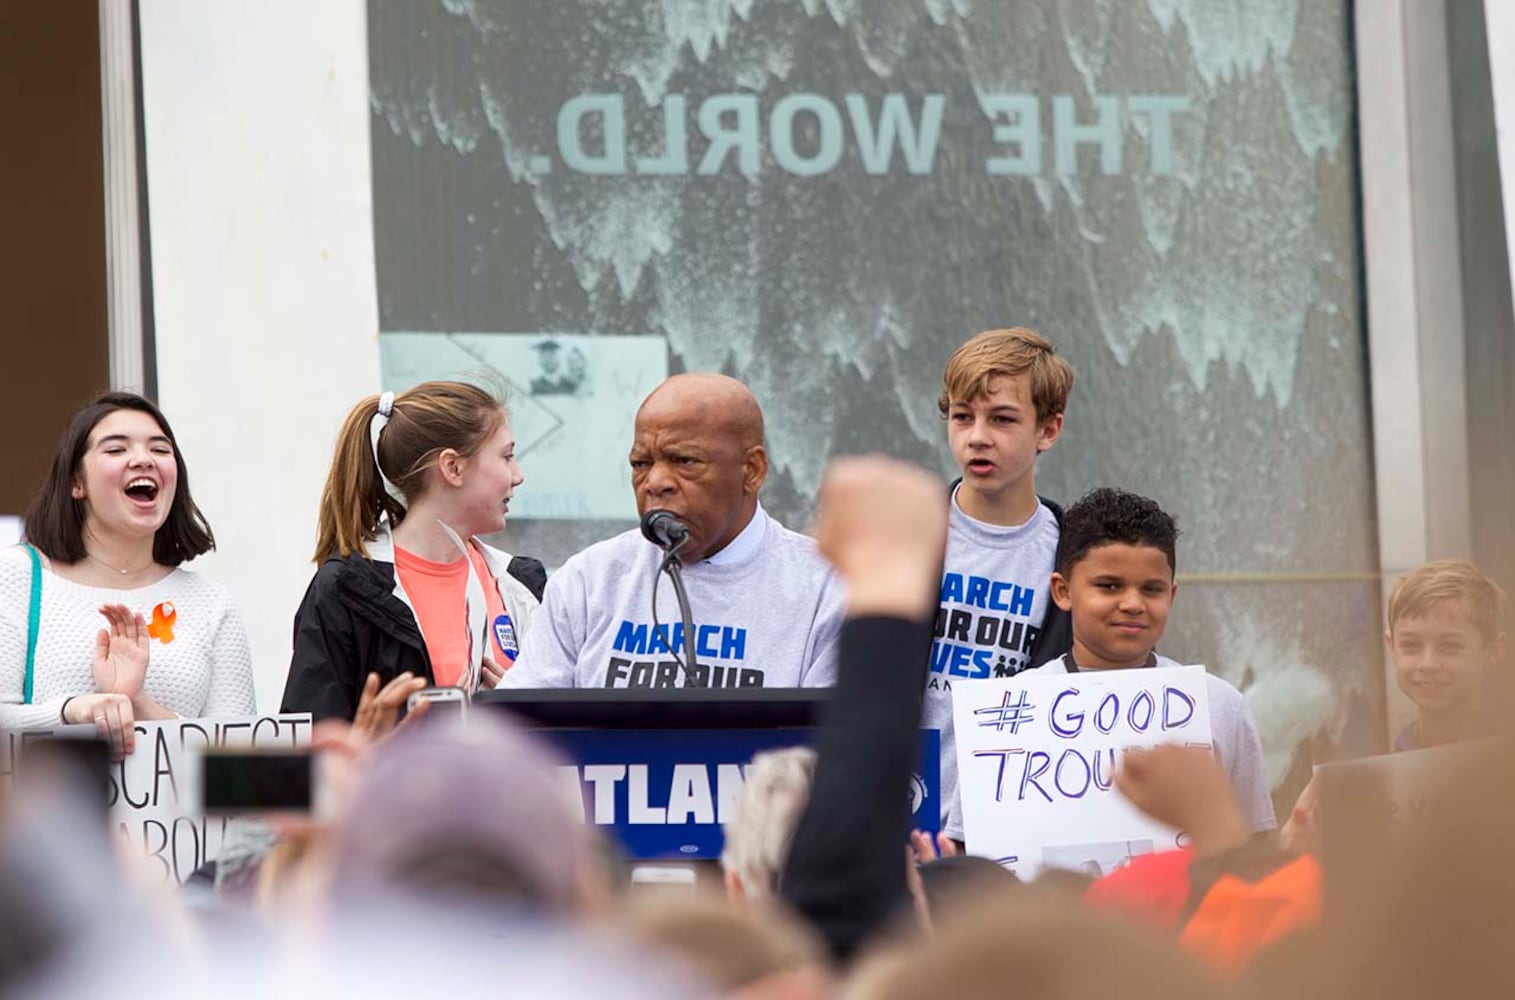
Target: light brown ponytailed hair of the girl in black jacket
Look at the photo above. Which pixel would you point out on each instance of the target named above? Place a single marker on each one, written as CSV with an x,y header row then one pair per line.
x,y
426,420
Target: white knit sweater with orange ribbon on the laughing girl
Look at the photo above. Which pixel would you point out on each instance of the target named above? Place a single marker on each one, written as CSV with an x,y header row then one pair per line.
x,y
199,663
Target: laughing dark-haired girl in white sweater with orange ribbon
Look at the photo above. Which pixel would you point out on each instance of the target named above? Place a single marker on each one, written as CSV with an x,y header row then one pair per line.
x,y
99,623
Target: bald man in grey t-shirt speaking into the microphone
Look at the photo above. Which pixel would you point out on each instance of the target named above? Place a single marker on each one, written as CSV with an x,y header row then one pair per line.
x,y
767,608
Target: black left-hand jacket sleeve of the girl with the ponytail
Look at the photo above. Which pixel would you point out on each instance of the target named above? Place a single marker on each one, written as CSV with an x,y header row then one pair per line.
x,y
323,675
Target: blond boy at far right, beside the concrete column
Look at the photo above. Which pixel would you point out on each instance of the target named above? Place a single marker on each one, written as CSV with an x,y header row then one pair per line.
x,y
1445,640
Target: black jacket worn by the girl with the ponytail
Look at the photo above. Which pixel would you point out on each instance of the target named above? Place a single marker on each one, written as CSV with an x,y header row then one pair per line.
x,y
351,623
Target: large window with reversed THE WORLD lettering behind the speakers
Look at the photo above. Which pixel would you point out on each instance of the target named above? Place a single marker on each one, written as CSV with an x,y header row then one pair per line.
x,y
825,198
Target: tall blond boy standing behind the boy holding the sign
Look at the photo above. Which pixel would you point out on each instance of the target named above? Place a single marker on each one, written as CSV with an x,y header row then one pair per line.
x,y
1004,398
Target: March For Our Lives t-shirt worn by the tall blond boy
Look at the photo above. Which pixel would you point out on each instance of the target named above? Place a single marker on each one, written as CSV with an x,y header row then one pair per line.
x,y
993,604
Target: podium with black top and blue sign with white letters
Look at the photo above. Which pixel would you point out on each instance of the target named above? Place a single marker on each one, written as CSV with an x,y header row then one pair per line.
x,y
664,769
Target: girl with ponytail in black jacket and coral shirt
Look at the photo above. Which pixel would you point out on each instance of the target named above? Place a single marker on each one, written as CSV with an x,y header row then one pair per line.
x,y
404,584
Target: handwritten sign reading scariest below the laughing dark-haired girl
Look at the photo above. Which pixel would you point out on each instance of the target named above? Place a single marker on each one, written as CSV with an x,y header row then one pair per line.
x,y
154,793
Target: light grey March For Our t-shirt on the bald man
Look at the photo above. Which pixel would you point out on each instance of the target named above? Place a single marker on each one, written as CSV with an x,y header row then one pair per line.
x,y
767,613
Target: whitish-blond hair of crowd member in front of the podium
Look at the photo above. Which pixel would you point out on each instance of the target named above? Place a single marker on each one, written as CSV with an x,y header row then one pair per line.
x,y
773,796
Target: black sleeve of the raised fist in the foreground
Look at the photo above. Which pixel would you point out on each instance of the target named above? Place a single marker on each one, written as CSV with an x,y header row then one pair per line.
x,y
846,867
